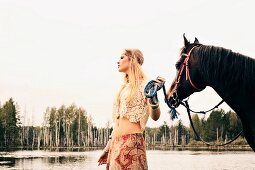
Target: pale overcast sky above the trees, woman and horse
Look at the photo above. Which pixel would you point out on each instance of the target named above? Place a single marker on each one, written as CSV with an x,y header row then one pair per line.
x,y
56,52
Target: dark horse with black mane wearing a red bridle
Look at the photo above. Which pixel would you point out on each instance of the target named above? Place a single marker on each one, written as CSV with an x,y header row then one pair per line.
x,y
230,74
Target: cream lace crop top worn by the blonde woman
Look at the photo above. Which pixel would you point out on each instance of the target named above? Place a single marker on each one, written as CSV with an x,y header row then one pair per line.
x,y
136,110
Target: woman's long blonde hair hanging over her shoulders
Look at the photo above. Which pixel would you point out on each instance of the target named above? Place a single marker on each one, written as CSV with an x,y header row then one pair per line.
x,y
136,75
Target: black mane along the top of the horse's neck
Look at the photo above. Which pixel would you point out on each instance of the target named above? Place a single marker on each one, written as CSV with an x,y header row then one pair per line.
x,y
233,69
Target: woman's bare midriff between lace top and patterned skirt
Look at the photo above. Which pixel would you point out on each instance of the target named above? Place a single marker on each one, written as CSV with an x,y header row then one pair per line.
x,y
124,126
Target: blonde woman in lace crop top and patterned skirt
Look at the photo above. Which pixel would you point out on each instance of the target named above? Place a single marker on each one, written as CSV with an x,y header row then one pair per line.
x,y
126,147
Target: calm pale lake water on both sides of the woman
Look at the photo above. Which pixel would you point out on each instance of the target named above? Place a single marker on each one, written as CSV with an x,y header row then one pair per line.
x,y
157,160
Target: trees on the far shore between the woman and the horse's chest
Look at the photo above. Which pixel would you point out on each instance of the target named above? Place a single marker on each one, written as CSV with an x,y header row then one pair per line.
x,y
219,127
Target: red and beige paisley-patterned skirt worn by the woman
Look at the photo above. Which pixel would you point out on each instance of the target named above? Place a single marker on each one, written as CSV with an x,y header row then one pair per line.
x,y
127,152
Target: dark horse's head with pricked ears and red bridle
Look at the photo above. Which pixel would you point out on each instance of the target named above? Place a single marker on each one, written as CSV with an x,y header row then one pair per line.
x,y
188,77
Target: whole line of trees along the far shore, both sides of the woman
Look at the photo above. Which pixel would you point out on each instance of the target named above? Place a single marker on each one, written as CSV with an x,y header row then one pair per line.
x,y
71,126
